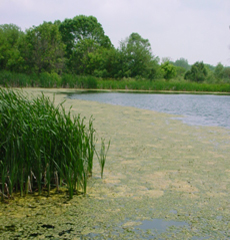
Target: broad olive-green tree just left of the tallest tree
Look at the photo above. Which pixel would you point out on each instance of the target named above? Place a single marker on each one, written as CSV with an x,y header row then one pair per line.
x,y
42,49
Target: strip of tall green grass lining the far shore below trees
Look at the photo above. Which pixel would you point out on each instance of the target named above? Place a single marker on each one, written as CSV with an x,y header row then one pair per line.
x,y
46,80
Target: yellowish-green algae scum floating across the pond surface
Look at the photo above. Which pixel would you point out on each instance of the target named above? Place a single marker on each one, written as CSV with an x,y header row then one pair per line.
x,y
162,180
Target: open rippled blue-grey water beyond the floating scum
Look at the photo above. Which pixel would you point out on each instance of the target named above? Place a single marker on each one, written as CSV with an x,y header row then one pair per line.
x,y
204,110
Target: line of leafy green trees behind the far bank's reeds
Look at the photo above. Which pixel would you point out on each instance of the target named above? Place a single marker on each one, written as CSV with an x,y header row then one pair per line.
x,y
79,46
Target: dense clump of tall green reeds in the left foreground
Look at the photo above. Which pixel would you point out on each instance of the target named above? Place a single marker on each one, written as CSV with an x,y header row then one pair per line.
x,y
42,146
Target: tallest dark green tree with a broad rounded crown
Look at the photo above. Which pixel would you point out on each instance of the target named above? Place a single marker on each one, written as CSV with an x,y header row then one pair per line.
x,y
82,35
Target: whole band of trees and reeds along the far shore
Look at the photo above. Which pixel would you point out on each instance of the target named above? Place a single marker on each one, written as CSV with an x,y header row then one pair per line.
x,y
76,53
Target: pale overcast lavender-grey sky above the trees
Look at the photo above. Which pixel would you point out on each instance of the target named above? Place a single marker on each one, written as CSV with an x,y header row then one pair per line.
x,y
197,30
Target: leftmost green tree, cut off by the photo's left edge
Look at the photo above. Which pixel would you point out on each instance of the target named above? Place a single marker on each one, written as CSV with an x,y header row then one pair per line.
x,y
10,58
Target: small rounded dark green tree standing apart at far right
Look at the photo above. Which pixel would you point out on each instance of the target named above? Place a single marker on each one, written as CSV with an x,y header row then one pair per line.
x,y
198,72
